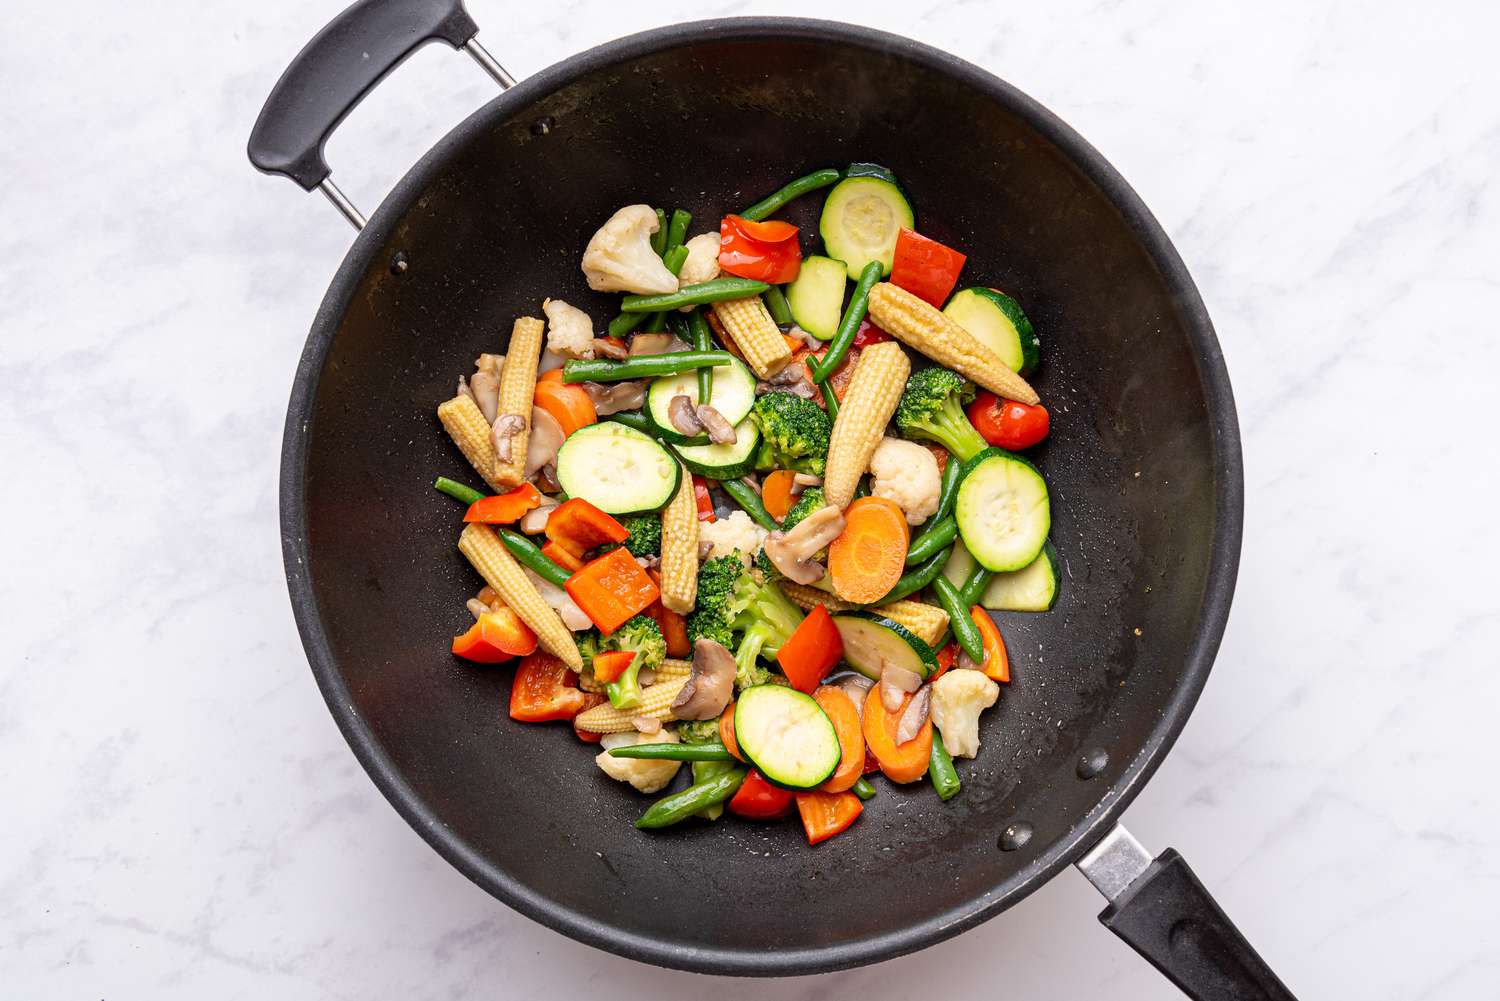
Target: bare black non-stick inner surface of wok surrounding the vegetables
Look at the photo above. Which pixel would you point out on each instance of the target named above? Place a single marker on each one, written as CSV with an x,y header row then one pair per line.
x,y
712,127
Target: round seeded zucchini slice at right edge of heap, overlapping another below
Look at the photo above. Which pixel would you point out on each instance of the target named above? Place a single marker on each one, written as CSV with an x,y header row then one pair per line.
x,y
1003,511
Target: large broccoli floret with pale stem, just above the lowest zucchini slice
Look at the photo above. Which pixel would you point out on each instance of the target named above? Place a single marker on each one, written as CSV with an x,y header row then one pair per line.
x,y
730,603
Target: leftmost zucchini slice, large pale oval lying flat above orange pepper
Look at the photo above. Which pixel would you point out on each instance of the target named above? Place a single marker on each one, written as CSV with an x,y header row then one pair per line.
x,y
617,469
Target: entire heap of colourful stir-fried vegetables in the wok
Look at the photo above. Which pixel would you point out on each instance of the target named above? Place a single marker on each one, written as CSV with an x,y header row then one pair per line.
x,y
758,520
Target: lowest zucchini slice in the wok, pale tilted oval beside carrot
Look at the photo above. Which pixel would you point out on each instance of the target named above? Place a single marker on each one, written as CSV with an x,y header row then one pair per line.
x,y
787,736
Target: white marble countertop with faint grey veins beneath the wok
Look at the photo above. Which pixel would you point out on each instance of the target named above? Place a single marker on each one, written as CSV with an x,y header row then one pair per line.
x,y
181,817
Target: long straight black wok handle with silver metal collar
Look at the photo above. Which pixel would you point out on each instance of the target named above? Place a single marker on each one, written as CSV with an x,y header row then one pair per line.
x,y
1162,910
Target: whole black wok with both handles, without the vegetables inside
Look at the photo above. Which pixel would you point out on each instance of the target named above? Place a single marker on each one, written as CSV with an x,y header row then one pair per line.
x,y
1144,466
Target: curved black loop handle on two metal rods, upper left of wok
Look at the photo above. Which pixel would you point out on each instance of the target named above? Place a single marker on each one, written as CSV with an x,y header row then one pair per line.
x,y
334,73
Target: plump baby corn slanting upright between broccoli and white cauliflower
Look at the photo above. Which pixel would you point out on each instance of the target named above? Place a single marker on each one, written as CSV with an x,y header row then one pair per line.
x,y
880,377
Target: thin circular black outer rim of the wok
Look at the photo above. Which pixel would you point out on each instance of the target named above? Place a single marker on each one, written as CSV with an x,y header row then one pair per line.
x,y
1066,850
